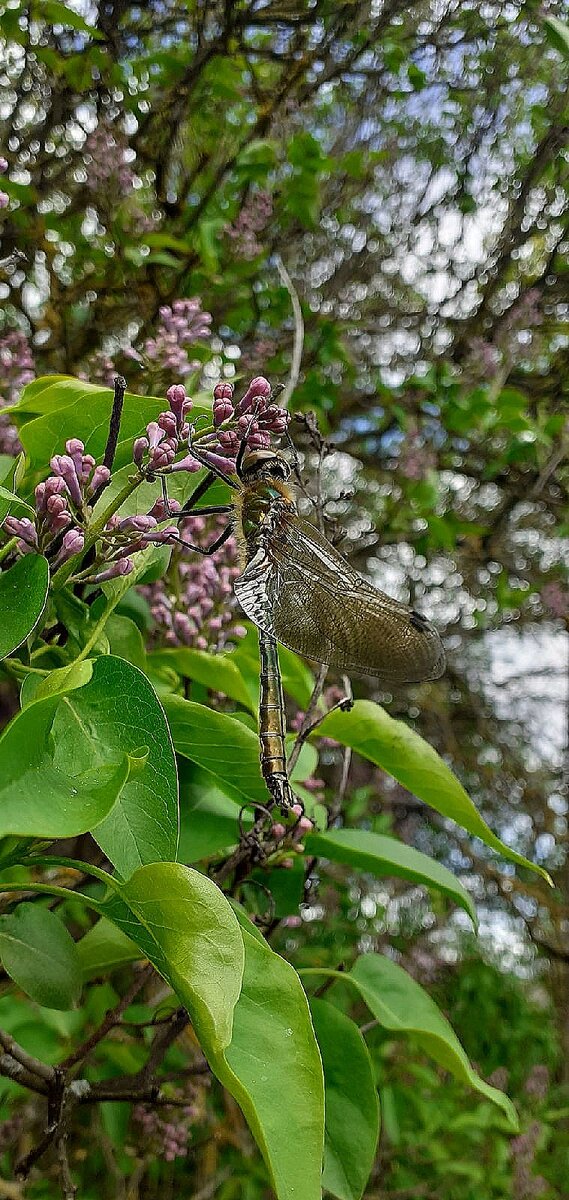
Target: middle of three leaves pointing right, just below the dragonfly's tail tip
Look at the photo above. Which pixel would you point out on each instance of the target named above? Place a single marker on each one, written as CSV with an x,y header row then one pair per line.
x,y
387,856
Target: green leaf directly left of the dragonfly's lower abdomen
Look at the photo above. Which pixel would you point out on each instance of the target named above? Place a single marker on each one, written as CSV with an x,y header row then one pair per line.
x,y
220,743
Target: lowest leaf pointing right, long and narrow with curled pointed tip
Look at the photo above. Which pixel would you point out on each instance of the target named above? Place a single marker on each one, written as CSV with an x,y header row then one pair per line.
x,y
400,1005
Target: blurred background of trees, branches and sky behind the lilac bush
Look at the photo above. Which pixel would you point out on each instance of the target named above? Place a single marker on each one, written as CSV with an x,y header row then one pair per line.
x,y
410,164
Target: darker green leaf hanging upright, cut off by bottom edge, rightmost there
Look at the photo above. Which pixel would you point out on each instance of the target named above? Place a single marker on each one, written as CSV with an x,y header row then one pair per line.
x,y
352,1109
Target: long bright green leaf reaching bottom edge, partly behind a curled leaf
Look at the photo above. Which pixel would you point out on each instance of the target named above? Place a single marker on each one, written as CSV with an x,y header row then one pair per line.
x,y
274,1071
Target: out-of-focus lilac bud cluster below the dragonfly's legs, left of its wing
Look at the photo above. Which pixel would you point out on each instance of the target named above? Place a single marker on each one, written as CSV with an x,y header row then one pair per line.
x,y
194,604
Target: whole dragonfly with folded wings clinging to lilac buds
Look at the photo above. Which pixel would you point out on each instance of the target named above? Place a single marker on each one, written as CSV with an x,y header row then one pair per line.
x,y
300,591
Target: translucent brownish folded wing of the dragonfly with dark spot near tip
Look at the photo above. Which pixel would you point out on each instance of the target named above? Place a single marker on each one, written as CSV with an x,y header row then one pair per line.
x,y
298,589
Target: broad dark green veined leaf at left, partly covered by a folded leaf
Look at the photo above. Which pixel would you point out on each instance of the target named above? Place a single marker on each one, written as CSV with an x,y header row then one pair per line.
x,y
119,713
